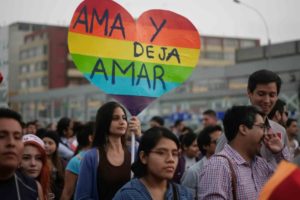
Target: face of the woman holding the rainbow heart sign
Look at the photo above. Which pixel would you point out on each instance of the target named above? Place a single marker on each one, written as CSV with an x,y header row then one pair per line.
x,y
118,124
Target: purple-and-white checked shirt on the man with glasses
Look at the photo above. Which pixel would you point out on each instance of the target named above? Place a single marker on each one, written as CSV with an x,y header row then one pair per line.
x,y
215,178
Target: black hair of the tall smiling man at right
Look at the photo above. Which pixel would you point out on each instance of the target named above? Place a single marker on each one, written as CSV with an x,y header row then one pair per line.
x,y
263,77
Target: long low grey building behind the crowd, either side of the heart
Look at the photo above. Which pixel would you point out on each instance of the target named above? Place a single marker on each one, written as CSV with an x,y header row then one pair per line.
x,y
82,102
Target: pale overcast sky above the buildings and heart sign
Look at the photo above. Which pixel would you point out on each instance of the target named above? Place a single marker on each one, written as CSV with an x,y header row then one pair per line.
x,y
211,17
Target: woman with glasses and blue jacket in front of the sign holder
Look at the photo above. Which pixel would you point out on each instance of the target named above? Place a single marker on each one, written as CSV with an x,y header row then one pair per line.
x,y
154,169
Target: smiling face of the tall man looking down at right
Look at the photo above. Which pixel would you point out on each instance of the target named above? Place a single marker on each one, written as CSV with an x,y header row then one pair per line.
x,y
264,96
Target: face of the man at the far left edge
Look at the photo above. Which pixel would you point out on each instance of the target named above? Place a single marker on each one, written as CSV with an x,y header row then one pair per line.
x,y
11,145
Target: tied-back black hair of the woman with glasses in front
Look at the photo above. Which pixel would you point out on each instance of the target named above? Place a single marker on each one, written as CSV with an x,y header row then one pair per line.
x,y
148,141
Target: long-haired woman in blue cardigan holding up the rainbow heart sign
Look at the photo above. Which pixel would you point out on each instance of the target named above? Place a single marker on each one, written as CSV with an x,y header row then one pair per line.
x,y
106,167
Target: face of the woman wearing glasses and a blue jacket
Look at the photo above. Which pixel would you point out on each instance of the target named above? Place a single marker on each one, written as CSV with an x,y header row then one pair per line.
x,y
162,159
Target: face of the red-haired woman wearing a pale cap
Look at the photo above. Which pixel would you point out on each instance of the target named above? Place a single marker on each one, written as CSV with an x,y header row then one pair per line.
x,y
31,163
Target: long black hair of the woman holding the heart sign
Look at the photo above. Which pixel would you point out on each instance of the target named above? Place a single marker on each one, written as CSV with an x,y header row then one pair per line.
x,y
103,122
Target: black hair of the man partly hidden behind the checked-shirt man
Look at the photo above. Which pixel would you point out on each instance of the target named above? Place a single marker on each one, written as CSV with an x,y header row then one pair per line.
x,y
204,139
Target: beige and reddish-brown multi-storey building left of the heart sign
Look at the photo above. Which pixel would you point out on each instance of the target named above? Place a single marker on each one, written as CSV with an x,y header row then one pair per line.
x,y
44,61
